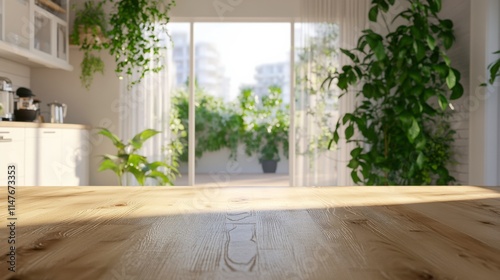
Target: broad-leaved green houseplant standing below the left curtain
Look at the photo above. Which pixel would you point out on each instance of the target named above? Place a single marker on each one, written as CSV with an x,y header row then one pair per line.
x,y
127,160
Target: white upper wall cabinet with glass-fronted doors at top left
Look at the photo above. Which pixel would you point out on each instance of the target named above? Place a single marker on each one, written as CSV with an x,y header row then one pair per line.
x,y
35,32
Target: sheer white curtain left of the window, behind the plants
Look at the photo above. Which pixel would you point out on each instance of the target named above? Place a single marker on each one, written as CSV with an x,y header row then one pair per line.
x,y
147,106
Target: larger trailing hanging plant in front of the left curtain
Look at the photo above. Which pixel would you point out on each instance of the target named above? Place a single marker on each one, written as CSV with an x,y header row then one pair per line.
x,y
138,28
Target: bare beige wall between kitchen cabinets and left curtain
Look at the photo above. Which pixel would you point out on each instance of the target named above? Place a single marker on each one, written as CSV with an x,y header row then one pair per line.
x,y
93,107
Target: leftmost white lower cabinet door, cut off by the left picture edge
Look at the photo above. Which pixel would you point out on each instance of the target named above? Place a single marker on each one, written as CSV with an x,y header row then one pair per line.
x,y
12,152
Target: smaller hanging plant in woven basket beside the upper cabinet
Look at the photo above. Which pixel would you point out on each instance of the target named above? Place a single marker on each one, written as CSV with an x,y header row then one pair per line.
x,y
89,32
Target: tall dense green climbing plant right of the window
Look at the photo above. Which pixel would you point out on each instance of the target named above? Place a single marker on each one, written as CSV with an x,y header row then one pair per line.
x,y
404,82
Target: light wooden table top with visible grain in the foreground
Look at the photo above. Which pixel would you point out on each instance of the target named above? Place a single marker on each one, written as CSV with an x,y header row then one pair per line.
x,y
253,233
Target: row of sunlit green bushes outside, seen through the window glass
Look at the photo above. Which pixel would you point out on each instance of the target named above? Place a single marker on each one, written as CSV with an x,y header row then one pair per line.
x,y
261,125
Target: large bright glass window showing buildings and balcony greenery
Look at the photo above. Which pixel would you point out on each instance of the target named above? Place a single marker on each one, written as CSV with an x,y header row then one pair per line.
x,y
242,87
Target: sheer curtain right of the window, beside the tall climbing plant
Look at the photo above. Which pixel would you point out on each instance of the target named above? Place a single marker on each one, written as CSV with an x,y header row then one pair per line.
x,y
325,26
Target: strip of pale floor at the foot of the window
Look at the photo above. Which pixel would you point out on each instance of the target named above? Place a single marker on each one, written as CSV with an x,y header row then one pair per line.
x,y
225,179
